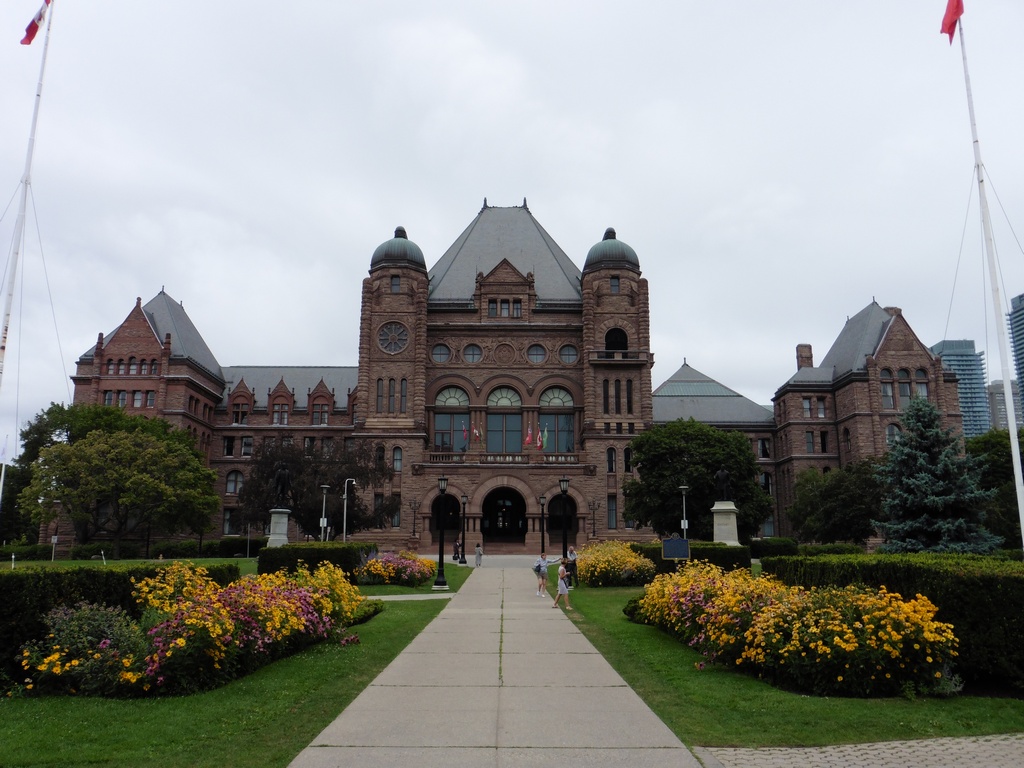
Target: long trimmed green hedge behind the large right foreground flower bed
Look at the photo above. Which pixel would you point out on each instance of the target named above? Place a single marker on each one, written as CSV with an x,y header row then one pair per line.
x,y
983,598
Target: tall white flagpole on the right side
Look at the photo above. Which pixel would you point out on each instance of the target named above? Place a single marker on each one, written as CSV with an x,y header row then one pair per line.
x,y
1001,323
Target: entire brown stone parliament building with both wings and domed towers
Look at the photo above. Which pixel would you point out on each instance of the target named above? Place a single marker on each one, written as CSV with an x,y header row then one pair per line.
x,y
507,370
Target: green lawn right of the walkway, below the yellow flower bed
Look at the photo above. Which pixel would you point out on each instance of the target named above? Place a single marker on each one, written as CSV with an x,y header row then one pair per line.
x,y
719,707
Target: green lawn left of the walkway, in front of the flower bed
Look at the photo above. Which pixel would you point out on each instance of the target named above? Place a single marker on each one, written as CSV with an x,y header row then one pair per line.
x,y
262,721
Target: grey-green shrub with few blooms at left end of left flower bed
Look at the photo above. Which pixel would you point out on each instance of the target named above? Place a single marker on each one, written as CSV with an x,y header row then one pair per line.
x,y
90,650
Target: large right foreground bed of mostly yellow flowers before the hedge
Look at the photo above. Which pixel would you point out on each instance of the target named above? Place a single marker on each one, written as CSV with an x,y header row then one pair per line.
x,y
849,642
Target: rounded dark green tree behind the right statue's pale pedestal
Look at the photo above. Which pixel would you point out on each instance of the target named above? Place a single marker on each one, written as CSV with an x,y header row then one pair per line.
x,y
689,453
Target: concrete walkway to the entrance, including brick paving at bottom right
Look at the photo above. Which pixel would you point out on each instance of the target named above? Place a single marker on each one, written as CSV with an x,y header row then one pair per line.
x,y
501,680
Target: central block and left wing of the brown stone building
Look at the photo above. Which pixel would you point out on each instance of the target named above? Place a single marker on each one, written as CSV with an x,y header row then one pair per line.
x,y
503,369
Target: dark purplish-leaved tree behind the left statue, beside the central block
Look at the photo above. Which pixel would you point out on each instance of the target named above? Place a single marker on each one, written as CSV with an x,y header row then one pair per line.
x,y
309,473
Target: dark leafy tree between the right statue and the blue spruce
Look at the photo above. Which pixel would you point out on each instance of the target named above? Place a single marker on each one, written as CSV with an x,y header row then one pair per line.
x,y
838,506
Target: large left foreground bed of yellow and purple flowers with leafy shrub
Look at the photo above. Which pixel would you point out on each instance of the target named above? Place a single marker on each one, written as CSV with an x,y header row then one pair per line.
x,y
194,634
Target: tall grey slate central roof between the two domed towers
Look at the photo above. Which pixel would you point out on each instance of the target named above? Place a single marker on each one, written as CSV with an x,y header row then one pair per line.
x,y
514,235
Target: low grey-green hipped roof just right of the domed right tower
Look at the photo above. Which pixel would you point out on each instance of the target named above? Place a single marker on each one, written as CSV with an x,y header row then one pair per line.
x,y
690,394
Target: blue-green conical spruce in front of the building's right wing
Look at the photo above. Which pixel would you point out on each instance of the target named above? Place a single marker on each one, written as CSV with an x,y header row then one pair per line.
x,y
932,500
